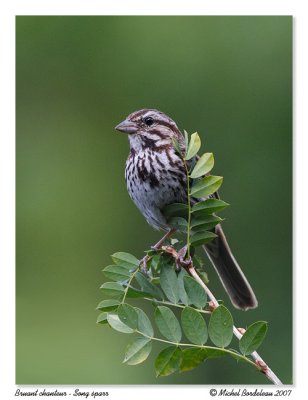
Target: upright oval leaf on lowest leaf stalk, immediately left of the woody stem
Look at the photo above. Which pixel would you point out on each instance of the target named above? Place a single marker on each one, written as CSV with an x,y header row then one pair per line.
x,y
221,327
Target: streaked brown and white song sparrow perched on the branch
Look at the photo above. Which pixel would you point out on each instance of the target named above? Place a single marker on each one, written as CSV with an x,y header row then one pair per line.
x,y
156,177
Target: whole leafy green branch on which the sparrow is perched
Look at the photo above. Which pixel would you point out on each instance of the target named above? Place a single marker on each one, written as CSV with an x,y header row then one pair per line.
x,y
205,319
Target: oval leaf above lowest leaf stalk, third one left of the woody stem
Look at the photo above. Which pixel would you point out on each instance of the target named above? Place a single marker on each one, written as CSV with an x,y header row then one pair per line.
x,y
167,324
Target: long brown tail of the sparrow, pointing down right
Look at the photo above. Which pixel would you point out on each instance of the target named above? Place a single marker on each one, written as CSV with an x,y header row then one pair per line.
x,y
229,272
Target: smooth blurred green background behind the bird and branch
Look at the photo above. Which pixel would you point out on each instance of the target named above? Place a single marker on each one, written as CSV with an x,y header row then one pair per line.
x,y
229,78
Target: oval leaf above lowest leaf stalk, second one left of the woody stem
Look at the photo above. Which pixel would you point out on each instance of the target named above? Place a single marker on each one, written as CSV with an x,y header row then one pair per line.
x,y
194,326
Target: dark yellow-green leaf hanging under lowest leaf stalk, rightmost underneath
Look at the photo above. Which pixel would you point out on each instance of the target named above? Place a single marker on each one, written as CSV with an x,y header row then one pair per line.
x,y
193,357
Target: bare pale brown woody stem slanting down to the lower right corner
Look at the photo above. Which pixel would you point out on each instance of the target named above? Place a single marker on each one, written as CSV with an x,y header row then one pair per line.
x,y
263,367
